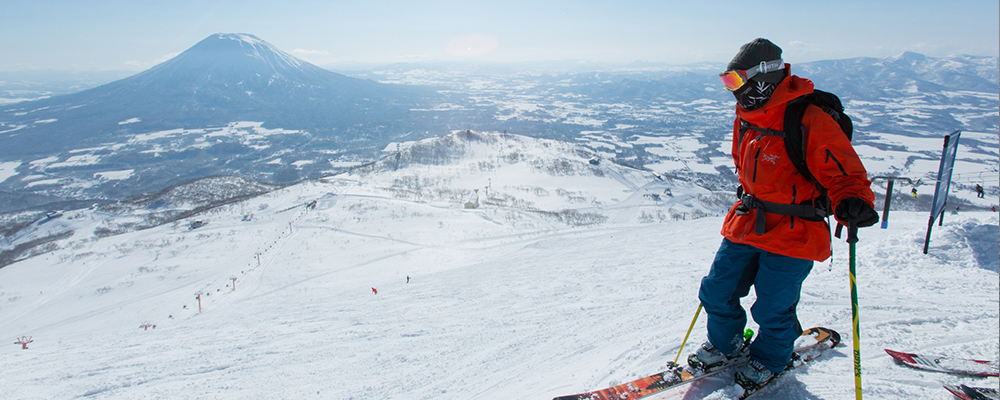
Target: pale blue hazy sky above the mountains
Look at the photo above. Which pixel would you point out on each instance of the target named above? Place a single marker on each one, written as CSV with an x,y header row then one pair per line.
x,y
135,35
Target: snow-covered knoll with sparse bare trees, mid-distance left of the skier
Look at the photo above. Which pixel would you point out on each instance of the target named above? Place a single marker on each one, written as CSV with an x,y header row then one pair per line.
x,y
532,174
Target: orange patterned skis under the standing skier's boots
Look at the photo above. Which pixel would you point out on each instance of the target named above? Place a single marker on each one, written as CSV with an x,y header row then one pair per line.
x,y
678,375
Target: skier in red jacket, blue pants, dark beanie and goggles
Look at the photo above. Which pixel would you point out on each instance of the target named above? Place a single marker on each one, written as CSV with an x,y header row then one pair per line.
x,y
764,246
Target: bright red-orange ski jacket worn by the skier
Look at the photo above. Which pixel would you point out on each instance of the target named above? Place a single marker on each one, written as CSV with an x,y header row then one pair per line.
x,y
766,173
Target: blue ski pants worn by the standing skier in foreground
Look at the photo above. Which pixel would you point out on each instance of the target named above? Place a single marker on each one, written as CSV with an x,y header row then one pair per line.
x,y
777,281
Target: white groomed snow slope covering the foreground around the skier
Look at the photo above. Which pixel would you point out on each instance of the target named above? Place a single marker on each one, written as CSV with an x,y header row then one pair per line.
x,y
504,302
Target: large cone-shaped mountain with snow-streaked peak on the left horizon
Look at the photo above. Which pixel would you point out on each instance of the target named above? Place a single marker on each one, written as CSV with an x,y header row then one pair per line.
x,y
222,79
